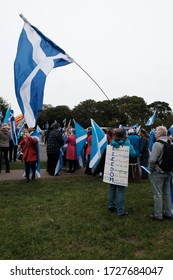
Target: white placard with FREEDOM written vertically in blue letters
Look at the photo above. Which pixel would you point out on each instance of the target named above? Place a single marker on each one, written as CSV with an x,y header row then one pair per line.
x,y
116,168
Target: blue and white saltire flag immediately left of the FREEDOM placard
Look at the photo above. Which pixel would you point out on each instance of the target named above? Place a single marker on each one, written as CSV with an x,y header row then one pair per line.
x,y
99,143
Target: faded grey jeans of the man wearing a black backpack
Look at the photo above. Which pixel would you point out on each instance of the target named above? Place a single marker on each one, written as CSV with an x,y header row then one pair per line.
x,y
161,186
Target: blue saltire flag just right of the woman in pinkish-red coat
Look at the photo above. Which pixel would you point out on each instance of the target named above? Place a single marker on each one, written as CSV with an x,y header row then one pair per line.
x,y
81,137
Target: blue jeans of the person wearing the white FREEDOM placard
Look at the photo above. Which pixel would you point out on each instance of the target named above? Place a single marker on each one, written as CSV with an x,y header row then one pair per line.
x,y
119,205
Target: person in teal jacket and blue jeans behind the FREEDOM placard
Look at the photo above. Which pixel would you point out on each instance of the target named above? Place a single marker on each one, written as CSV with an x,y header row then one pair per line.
x,y
119,139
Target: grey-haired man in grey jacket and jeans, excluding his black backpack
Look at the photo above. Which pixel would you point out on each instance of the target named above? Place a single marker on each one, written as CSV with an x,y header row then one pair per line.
x,y
160,176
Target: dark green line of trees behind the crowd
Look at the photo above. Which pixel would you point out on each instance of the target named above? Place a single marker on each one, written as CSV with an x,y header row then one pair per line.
x,y
126,110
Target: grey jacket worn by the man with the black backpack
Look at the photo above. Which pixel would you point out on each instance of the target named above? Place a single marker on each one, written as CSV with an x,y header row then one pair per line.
x,y
156,155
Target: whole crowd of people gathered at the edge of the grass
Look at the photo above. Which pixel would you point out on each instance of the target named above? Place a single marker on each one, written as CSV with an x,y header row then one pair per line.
x,y
141,161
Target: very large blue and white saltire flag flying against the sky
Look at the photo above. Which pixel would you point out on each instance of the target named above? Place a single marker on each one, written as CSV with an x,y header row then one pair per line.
x,y
36,56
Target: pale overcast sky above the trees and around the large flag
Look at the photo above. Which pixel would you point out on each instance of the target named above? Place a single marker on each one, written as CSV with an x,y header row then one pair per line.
x,y
126,46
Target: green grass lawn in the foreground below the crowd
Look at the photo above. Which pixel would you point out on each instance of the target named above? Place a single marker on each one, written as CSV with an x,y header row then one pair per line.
x,y
67,218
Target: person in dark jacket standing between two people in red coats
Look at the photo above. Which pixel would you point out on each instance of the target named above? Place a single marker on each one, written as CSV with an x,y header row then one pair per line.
x,y
54,143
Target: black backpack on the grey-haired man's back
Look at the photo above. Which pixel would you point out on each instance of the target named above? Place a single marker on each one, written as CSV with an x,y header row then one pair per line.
x,y
167,158
